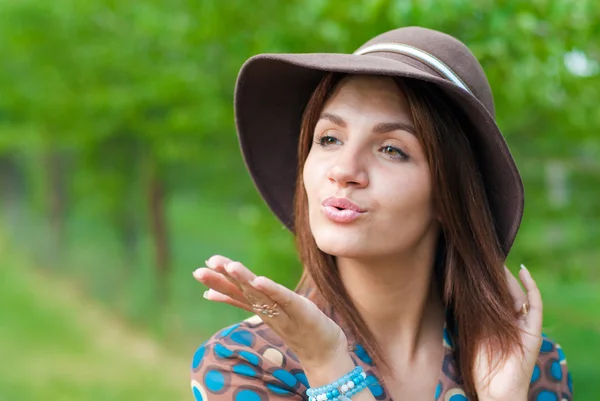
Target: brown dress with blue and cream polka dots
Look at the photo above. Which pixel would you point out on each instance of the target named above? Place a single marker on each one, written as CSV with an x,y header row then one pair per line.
x,y
249,362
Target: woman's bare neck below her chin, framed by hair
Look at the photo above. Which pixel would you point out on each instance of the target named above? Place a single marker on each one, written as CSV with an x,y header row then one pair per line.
x,y
397,299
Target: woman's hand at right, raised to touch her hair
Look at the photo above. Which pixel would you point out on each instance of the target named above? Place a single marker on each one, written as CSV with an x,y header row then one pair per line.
x,y
510,379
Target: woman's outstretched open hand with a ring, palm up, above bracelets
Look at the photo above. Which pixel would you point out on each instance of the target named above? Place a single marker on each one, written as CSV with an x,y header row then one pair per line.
x,y
316,340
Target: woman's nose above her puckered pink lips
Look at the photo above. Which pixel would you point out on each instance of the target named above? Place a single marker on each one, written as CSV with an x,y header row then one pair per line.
x,y
348,169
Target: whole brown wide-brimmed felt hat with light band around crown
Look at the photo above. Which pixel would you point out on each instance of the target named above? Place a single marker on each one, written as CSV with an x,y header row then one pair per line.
x,y
272,91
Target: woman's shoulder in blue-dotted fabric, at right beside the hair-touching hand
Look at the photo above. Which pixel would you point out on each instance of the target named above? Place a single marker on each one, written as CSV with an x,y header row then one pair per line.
x,y
551,377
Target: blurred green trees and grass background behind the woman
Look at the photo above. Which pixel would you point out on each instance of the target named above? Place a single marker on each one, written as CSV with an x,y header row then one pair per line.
x,y
120,173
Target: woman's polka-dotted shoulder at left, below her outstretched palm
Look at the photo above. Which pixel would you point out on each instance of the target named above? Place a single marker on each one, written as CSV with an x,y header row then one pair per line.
x,y
246,361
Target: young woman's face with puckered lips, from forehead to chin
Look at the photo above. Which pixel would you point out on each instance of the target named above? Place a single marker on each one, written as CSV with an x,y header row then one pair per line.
x,y
366,176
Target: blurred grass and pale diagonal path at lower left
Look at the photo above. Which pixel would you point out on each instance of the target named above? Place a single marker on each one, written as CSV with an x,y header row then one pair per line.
x,y
56,344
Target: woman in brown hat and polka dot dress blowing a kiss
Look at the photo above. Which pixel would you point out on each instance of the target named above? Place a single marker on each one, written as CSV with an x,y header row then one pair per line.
x,y
404,198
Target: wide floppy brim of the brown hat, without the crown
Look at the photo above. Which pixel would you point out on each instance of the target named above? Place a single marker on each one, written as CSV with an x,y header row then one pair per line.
x,y
272,91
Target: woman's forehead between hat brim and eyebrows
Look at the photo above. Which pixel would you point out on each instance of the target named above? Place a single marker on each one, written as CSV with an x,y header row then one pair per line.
x,y
368,94
